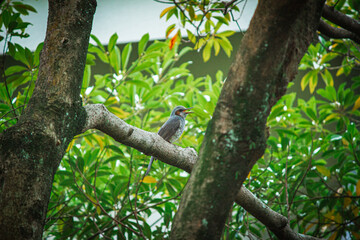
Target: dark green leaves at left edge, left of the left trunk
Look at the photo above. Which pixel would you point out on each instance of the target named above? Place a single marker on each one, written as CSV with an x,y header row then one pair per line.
x,y
18,80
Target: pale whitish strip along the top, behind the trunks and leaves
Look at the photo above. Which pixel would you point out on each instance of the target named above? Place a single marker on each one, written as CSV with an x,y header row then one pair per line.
x,y
130,19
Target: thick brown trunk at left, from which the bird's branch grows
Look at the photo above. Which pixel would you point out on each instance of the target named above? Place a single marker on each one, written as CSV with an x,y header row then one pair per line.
x,y
31,150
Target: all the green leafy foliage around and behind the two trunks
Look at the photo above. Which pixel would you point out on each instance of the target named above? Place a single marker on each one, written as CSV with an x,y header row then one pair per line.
x,y
309,172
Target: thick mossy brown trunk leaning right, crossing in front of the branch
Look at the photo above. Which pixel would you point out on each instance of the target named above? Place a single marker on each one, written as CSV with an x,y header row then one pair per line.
x,y
277,38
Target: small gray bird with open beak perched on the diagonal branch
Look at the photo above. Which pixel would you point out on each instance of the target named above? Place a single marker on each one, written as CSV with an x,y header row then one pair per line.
x,y
172,128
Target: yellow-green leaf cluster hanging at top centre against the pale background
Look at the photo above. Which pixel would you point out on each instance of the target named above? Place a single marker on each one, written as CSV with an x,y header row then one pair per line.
x,y
207,18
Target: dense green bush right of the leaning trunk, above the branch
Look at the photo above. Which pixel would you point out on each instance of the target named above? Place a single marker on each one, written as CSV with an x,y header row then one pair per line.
x,y
310,170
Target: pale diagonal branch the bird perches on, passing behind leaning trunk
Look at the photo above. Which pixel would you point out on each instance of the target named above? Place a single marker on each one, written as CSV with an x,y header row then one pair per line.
x,y
98,117
